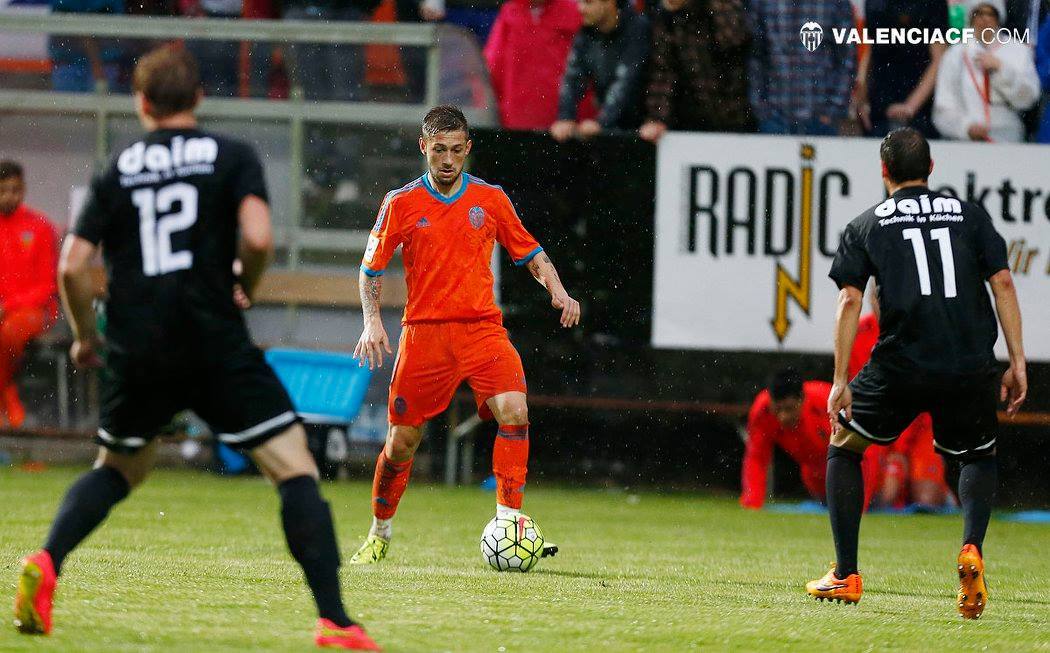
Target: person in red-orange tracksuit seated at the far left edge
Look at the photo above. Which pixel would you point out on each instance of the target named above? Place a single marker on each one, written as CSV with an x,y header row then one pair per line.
x,y
29,261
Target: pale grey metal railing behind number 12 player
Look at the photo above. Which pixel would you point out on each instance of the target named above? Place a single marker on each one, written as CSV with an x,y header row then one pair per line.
x,y
296,113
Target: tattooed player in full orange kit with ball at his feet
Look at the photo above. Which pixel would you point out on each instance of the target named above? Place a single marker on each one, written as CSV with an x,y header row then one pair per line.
x,y
447,223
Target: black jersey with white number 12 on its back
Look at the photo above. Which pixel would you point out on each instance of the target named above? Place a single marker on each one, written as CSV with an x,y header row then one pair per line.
x,y
165,213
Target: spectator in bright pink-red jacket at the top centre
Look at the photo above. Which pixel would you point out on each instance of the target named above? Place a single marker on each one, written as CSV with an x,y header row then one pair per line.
x,y
527,55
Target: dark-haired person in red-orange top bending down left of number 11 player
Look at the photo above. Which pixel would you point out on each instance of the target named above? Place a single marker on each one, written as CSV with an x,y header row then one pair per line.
x,y
793,415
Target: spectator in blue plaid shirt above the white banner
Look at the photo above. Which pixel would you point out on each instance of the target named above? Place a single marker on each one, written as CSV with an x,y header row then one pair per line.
x,y
794,91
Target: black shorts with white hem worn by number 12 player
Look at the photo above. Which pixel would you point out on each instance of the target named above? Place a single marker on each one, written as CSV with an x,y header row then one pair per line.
x,y
235,391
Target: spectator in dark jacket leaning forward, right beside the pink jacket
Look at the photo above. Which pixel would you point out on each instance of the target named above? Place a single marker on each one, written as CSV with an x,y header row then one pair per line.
x,y
610,54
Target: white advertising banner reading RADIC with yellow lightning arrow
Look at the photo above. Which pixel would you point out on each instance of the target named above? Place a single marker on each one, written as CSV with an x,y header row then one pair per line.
x,y
747,227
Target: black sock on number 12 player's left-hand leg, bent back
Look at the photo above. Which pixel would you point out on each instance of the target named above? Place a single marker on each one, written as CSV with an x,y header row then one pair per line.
x,y
87,504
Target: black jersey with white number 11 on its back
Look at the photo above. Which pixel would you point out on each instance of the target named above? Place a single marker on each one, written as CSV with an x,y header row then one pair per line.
x,y
931,256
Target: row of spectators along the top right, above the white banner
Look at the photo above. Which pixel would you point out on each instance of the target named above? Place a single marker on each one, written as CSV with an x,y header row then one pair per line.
x,y
741,67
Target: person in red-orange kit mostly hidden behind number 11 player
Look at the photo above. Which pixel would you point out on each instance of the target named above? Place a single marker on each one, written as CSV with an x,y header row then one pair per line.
x,y
911,471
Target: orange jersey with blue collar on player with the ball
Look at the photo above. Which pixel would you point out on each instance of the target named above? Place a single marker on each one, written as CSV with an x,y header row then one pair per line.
x,y
447,244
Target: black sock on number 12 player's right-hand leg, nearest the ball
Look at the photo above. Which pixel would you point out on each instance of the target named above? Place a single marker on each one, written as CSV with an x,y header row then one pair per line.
x,y
311,539
